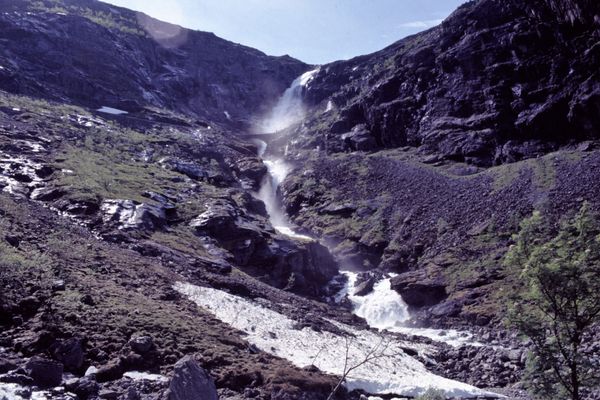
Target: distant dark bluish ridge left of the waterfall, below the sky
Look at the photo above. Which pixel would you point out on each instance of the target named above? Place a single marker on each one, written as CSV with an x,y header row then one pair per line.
x,y
94,54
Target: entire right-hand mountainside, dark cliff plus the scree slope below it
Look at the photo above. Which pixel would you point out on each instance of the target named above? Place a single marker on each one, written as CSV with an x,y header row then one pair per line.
x,y
430,151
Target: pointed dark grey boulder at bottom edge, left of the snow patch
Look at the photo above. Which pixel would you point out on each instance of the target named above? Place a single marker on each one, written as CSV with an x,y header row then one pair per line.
x,y
191,382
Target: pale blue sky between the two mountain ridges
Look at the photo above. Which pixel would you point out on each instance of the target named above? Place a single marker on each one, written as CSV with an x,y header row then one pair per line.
x,y
315,31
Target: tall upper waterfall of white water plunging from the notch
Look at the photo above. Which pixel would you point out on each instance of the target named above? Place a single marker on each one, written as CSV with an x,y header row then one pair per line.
x,y
289,110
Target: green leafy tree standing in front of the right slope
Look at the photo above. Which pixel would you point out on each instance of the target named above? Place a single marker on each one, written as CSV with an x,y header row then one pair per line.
x,y
561,301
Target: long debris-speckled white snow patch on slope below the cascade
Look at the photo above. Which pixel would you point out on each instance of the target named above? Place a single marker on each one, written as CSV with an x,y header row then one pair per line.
x,y
393,371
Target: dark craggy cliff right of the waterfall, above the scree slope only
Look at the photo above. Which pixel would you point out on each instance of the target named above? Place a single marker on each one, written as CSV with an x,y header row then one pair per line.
x,y
496,82
